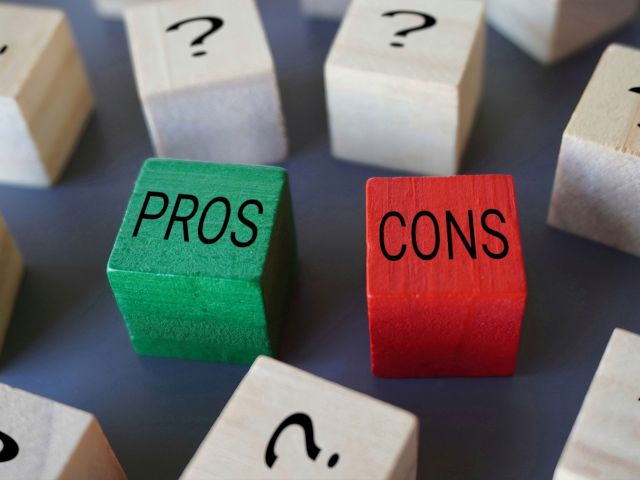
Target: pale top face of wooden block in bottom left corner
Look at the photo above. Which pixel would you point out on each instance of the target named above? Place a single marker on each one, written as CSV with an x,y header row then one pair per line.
x,y
45,432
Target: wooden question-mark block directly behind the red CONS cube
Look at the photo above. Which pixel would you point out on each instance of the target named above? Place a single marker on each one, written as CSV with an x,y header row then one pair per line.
x,y
408,107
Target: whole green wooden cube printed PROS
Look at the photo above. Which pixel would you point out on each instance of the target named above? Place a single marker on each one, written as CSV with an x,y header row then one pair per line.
x,y
204,260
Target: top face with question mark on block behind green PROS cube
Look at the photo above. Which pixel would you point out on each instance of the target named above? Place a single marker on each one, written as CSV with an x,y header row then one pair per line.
x,y
190,43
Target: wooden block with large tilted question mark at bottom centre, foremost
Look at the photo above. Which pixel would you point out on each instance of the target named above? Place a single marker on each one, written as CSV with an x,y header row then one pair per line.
x,y
358,437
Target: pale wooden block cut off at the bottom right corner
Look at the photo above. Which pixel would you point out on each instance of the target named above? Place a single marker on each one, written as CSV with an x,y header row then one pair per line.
x,y
605,441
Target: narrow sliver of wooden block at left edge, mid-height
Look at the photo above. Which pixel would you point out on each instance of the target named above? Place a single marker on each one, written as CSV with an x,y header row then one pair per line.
x,y
11,272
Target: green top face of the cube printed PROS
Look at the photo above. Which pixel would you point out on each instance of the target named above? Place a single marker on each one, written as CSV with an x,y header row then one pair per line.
x,y
231,211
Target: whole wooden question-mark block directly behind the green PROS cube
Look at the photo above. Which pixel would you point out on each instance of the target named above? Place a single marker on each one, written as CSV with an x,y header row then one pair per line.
x,y
214,101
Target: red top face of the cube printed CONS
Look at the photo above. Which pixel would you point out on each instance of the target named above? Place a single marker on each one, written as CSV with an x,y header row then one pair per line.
x,y
447,236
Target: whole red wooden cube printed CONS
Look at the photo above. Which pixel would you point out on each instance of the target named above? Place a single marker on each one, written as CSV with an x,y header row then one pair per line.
x,y
445,276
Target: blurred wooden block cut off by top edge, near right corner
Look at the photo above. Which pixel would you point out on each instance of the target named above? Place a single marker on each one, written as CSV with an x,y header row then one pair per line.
x,y
550,31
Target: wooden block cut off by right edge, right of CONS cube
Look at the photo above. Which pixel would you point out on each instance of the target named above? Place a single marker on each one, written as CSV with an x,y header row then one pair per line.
x,y
597,186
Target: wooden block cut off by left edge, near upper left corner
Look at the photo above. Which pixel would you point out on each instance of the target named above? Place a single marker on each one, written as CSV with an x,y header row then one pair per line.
x,y
45,99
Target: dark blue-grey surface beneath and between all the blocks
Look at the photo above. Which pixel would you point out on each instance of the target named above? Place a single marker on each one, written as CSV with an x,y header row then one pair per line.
x,y
67,340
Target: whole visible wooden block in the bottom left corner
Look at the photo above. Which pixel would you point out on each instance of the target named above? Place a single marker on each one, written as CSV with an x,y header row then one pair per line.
x,y
45,440
